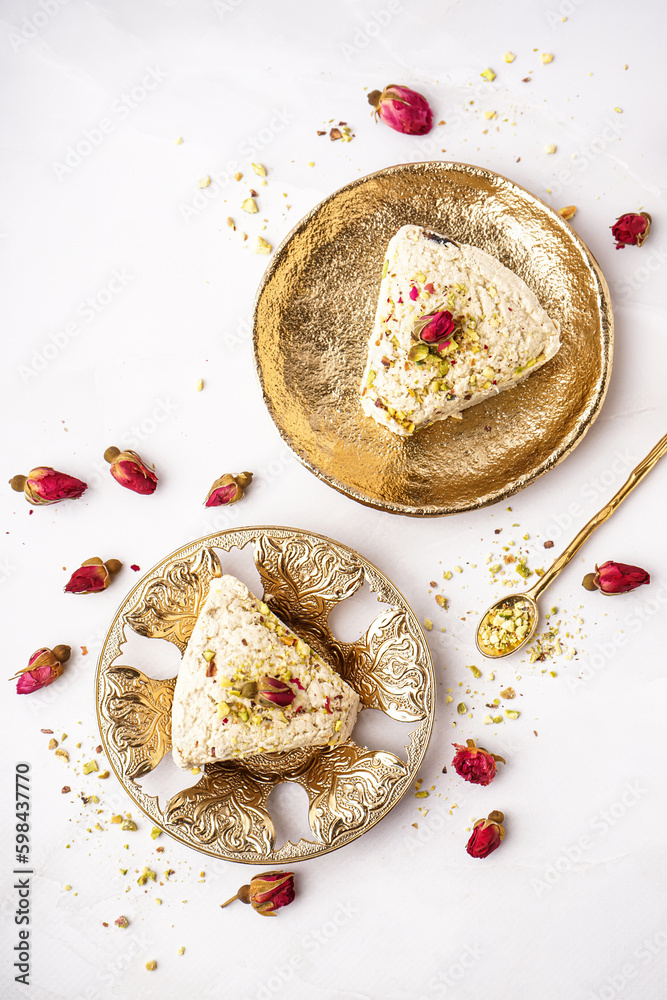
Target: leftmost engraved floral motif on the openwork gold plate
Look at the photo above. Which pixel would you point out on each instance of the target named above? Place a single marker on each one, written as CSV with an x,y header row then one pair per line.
x,y
140,712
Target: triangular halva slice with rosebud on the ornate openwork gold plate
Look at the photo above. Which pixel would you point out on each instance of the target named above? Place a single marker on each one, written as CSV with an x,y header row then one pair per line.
x,y
248,685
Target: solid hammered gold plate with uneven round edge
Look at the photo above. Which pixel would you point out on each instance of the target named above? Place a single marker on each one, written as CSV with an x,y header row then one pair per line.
x,y
314,312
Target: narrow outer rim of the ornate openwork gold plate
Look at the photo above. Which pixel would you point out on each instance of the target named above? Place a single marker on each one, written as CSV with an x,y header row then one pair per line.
x,y
417,739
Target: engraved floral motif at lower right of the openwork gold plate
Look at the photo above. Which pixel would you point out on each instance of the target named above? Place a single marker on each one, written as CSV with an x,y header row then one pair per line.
x,y
347,785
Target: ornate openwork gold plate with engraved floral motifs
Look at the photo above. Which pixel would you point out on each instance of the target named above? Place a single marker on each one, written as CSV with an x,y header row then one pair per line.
x,y
350,788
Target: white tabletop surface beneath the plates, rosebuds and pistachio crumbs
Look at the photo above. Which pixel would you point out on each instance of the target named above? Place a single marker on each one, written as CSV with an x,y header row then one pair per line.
x,y
572,904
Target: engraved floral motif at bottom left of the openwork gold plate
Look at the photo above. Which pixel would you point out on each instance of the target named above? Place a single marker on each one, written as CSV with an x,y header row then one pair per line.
x,y
226,808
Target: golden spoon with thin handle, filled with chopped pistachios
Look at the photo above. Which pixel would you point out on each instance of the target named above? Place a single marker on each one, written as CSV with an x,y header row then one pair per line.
x,y
511,622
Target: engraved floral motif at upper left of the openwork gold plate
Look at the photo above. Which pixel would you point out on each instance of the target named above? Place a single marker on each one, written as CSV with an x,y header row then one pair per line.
x,y
170,603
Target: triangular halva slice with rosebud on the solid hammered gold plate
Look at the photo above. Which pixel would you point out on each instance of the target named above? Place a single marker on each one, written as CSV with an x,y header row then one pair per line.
x,y
453,326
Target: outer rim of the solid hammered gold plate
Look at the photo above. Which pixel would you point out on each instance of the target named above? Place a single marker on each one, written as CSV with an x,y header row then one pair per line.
x,y
565,446
